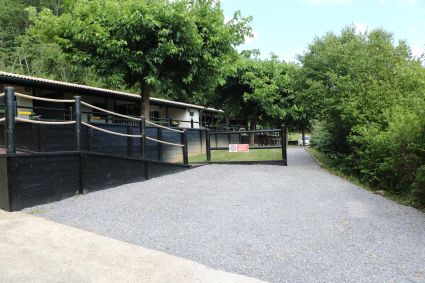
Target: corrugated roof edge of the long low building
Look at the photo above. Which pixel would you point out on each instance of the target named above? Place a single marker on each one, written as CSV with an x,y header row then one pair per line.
x,y
15,78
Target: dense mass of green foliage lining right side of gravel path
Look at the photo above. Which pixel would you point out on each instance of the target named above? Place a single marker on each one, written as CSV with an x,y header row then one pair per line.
x,y
369,96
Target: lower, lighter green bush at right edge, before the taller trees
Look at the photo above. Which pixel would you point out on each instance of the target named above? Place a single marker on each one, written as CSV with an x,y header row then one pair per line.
x,y
394,158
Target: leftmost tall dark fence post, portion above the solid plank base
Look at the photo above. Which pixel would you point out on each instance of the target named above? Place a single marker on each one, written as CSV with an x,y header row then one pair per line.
x,y
10,120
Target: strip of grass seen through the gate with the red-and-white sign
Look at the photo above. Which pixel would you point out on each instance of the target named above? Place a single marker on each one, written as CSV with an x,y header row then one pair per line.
x,y
252,155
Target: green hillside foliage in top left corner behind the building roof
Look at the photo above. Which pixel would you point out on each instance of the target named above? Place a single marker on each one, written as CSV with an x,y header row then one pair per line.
x,y
31,55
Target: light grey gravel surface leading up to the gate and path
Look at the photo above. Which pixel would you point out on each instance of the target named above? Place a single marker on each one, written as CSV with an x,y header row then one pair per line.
x,y
282,224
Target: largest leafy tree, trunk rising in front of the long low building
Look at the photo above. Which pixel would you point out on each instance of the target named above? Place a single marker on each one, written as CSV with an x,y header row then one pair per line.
x,y
182,45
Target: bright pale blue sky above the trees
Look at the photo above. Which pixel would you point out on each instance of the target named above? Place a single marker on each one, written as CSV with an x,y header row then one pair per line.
x,y
286,27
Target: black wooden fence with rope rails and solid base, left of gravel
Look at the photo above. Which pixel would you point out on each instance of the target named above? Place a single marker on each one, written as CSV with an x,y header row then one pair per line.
x,y
53,160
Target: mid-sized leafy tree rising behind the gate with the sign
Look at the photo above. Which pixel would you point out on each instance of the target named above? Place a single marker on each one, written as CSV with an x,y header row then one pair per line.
x,y
258,92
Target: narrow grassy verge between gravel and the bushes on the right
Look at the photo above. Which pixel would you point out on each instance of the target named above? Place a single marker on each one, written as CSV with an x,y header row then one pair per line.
x,y
332,166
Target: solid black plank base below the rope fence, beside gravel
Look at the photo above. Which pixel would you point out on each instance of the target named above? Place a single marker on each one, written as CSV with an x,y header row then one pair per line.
x,y
36,178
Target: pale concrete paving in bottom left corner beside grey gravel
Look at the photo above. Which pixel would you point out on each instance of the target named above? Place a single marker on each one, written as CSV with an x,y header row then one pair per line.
x,y
37,250
